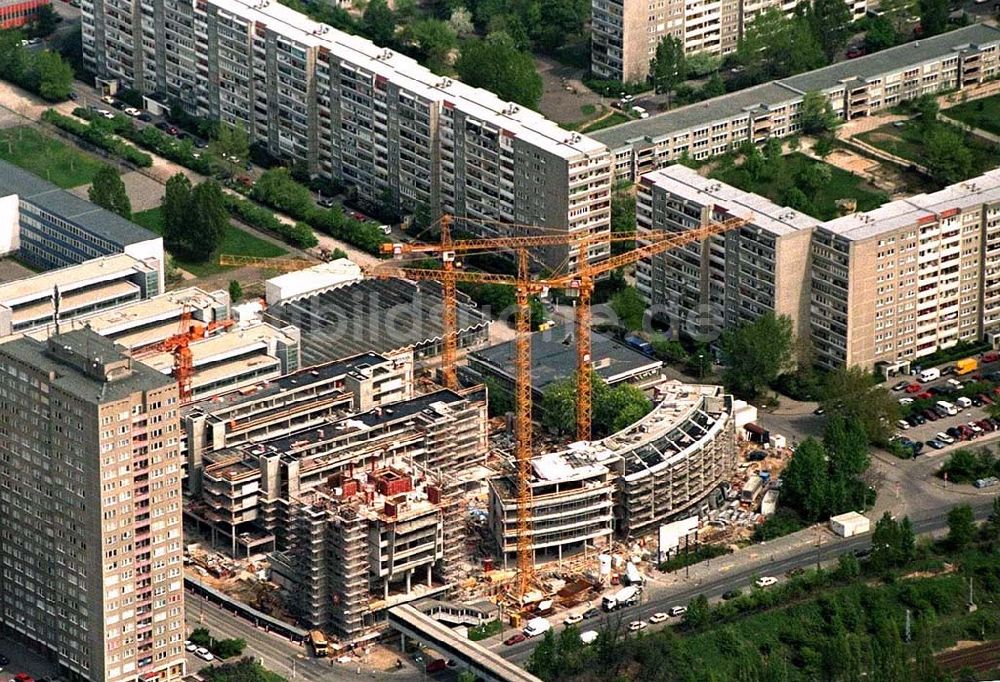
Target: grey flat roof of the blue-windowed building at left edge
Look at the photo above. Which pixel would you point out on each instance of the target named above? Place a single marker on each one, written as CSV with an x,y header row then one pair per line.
x,y
88,216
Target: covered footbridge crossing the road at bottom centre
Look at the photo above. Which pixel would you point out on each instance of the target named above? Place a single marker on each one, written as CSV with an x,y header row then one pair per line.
x,y
410,622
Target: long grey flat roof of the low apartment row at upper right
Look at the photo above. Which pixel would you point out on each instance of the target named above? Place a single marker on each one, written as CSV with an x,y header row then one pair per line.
x,y
788,89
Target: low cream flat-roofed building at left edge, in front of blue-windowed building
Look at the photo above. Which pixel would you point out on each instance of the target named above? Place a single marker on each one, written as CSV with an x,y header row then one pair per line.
x,y
56,298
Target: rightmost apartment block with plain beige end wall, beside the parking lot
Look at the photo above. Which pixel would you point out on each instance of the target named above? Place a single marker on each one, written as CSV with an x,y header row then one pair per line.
x,y
898,282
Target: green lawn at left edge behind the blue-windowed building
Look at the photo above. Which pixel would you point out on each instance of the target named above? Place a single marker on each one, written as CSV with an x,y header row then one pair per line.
x,y
47,157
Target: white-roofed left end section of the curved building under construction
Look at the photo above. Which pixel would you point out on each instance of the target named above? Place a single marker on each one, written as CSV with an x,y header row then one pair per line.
x,y
572,507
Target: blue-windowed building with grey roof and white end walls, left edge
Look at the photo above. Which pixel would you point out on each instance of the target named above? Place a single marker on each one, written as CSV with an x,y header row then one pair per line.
x,y
50,228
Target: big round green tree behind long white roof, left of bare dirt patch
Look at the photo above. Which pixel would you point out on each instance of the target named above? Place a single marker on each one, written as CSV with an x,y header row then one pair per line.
x,y
496,64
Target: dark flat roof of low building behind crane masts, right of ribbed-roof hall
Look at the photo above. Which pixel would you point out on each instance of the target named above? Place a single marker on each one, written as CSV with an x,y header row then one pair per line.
x,y
553,357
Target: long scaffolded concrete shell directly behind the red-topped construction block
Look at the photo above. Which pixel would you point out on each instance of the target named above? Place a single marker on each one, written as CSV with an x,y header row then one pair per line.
x,y
249,492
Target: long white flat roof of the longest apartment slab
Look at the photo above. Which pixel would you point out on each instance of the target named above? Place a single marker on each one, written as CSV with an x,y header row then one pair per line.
x,y
407,72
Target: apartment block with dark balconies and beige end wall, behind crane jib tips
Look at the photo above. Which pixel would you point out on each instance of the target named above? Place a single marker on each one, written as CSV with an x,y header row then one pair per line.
x,y
730,278
